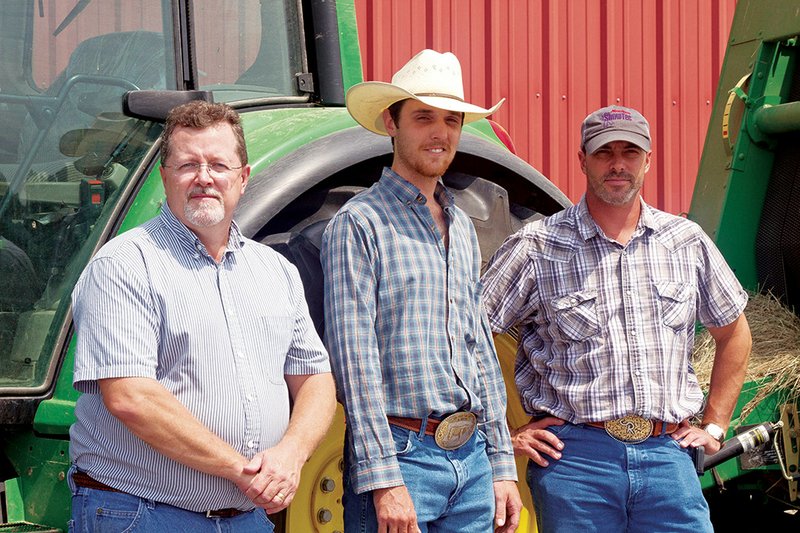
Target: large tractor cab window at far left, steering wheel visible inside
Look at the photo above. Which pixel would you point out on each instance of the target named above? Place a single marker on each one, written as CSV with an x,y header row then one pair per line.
x,y
66,154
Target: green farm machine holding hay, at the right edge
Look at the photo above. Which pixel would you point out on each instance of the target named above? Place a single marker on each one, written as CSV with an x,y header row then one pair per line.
x,y
747,198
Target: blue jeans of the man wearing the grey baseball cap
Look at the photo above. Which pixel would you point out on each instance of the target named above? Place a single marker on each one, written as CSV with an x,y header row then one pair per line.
x,y
601,484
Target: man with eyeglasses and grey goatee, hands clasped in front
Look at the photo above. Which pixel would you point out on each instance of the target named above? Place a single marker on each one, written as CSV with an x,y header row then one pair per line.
x,y
185,421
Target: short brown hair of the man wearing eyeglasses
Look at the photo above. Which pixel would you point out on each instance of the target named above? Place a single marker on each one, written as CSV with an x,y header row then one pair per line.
x,y
200,114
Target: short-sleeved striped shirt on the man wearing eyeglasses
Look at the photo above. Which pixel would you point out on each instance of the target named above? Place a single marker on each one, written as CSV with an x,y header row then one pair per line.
x,y
220,337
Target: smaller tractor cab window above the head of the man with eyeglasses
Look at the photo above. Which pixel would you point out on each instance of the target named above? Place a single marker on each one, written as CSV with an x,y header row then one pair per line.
x,y
248,49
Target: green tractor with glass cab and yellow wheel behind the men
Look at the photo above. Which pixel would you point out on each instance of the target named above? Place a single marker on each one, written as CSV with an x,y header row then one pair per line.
x,y
84,88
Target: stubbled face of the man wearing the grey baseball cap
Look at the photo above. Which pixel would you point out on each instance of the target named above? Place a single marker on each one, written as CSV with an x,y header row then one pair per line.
x,y
615,172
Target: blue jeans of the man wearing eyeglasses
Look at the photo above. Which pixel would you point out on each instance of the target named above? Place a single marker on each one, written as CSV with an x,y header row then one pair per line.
x,y
101,511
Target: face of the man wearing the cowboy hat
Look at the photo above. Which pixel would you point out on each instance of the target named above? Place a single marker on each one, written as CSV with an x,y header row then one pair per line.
x,y
425,139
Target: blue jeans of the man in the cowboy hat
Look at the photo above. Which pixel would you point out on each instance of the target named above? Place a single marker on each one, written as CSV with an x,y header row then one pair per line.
x,y
452,491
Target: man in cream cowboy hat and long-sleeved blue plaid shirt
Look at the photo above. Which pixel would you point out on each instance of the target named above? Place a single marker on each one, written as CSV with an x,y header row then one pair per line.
x,y
427,442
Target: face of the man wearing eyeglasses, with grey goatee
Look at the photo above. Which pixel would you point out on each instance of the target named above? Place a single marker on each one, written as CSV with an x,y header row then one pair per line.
x,y
203,197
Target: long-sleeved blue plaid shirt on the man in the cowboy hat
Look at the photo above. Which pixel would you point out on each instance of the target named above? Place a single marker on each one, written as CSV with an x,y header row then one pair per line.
x,y
405,326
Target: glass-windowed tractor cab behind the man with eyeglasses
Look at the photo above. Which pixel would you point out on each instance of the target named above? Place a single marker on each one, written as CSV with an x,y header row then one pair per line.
x,y
69,155
